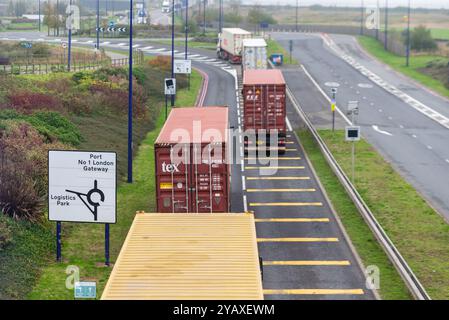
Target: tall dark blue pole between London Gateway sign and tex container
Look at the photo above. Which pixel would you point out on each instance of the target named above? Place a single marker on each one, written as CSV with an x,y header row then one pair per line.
x,y
130,95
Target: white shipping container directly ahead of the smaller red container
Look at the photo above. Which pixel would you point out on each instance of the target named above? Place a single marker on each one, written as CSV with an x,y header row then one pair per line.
x,y
254,54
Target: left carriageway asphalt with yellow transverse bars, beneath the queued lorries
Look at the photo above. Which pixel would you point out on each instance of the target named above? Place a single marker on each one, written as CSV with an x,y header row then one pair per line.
x,y
305,253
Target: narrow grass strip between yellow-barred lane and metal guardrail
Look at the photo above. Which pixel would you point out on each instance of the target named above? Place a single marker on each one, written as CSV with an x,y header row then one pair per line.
x,y
371,253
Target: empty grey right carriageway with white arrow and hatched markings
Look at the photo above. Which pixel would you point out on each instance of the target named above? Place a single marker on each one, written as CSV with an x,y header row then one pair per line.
x,y
414,142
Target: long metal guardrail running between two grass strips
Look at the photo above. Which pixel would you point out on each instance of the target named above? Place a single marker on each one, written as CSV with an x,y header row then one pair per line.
x,y
412,282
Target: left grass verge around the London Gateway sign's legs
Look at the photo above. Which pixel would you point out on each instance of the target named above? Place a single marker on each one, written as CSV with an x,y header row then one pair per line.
x,y
84,245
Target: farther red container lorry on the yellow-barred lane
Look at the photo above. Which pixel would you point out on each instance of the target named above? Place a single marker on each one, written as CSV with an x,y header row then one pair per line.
x,y
264,95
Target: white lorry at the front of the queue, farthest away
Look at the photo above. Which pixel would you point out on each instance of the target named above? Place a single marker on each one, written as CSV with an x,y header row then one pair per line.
x,y
230,44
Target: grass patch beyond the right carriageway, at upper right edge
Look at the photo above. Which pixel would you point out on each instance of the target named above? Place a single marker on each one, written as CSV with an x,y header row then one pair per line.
x,y
376,49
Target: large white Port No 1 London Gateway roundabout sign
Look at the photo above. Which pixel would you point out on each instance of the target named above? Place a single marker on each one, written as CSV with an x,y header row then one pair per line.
x,y
82,186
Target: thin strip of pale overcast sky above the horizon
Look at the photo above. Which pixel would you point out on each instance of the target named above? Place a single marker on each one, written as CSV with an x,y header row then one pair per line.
x,y
415,3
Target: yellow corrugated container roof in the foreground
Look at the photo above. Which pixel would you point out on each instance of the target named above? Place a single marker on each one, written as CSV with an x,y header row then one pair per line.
x,y
188,256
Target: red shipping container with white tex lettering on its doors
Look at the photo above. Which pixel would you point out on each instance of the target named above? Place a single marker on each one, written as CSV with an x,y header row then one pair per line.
x,y
192,168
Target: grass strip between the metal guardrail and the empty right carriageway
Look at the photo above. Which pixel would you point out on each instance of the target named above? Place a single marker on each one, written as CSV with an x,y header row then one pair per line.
x,y
417,230
